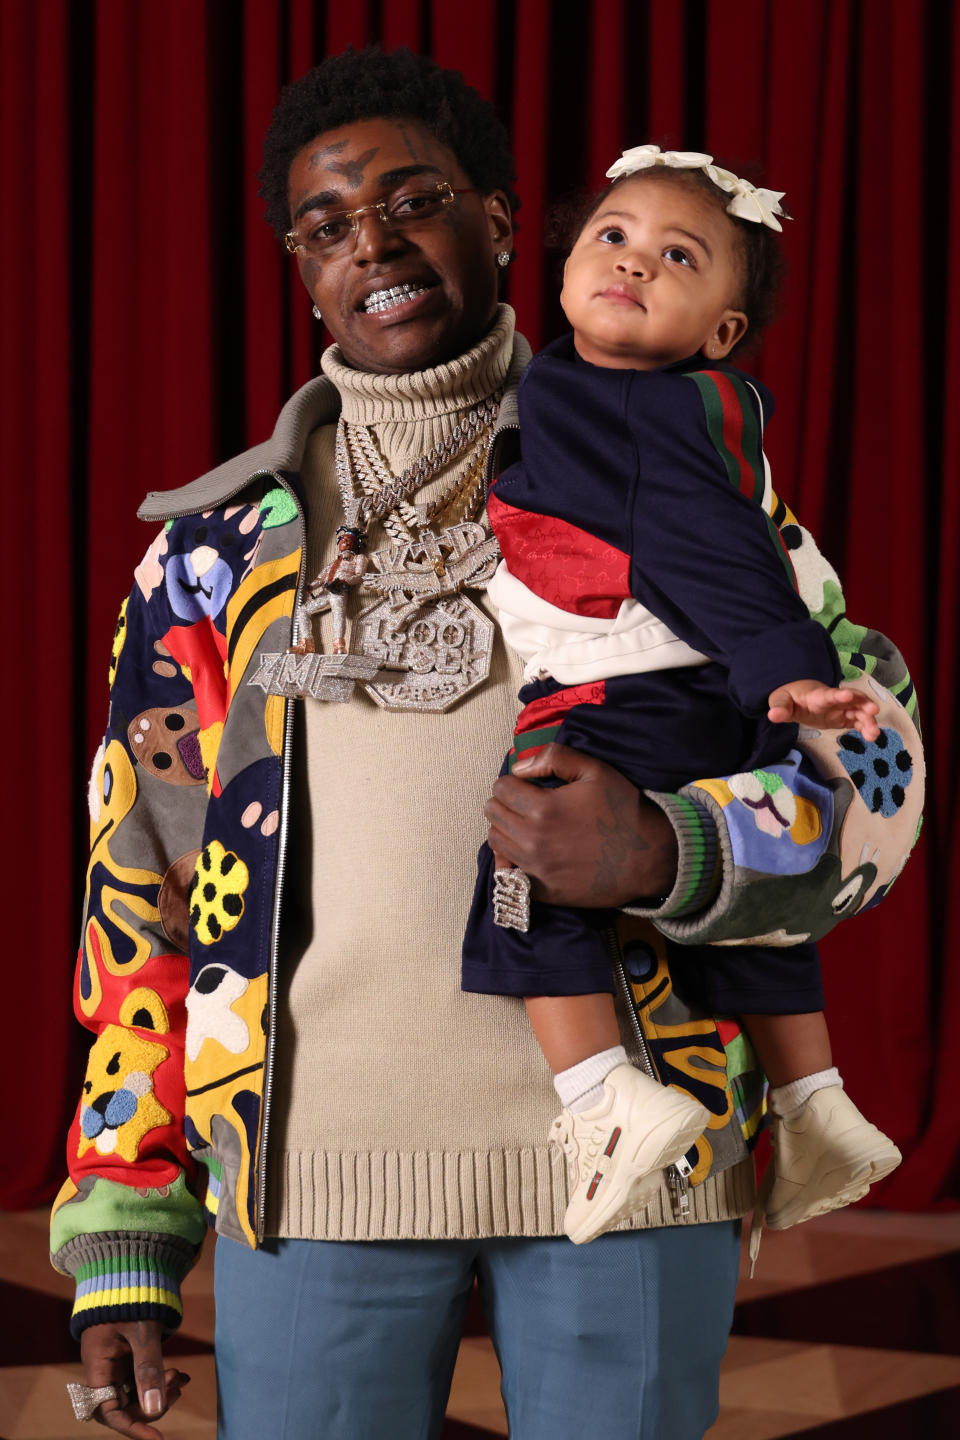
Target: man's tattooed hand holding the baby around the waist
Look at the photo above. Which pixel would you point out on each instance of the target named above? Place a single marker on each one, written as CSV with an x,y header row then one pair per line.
x,y
594,842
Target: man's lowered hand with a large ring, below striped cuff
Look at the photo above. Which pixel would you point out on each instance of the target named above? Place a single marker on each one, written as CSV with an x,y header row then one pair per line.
x,y
130,1353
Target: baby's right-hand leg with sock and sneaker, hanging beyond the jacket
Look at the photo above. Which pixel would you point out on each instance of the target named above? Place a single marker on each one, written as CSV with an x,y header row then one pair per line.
x,y
825,1154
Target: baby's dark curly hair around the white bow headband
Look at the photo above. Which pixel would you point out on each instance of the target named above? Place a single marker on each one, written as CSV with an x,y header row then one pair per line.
x,y
762,261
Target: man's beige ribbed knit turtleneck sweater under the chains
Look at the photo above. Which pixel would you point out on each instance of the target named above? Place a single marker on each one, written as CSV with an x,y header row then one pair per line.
x,y
405,1108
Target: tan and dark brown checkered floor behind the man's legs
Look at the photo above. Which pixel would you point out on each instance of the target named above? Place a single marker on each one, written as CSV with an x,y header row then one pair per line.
x,y
850,1331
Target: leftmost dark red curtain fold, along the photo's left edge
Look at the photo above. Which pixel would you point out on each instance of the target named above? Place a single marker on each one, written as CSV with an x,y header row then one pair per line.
x,y
38,585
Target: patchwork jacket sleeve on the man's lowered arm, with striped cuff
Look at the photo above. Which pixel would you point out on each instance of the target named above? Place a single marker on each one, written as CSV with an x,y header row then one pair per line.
x,y
132,1179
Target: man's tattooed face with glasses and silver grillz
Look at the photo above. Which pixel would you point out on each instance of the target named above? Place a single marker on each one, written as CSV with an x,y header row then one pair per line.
x,y
443,271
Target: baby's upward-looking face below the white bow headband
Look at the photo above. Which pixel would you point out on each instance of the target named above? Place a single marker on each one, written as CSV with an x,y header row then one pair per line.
x,y
654,279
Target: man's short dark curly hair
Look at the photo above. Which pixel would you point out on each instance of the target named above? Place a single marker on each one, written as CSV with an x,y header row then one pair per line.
x,y
371,83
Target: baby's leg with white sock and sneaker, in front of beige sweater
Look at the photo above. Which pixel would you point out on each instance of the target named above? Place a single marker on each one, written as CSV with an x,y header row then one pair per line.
x,y
620,1128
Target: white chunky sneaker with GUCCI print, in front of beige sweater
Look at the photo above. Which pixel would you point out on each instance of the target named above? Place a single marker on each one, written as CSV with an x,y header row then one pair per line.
x,y
618,1148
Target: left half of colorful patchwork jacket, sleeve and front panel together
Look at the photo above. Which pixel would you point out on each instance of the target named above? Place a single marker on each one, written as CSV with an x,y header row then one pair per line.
x,y
184,845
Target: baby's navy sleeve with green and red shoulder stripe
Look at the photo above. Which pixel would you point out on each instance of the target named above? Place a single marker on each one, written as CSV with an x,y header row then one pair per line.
x,y
706,557
